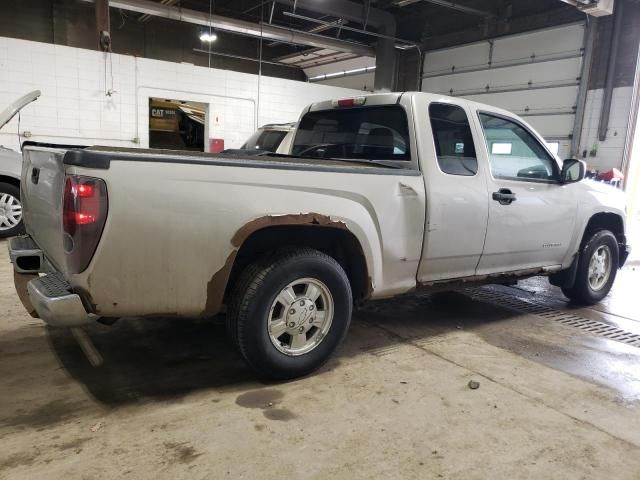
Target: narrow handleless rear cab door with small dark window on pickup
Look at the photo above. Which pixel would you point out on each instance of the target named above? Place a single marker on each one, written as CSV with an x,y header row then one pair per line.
x,y
455,181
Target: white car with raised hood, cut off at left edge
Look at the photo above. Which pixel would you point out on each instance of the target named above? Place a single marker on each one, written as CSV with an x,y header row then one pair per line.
x,y
10,169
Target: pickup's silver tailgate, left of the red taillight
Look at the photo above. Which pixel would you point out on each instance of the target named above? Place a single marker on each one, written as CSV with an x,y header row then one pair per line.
x,y
42,190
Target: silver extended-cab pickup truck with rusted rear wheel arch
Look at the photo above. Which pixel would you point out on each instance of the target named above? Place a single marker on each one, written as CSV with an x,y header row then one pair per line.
x,y
381,195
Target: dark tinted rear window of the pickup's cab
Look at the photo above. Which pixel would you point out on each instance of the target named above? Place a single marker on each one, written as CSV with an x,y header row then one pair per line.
x,y
370,133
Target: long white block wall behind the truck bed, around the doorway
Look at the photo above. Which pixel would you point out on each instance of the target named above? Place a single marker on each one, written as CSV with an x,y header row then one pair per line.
x,y
73,107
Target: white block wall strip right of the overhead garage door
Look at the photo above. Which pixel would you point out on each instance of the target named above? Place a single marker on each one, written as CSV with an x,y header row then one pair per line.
x,y
610,151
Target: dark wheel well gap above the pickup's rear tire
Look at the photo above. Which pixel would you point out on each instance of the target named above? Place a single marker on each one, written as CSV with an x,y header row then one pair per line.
x,y
339,243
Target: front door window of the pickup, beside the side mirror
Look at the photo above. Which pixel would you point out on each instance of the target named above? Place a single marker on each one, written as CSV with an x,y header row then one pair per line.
x,y
514,153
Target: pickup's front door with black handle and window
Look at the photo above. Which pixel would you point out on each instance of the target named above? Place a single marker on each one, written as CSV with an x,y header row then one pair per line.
x,y
531,214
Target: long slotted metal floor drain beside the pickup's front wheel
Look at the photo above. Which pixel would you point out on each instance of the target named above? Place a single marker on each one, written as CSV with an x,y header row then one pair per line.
x,y
521,305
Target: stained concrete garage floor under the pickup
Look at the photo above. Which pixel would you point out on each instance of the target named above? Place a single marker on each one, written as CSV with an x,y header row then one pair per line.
x,y
172,399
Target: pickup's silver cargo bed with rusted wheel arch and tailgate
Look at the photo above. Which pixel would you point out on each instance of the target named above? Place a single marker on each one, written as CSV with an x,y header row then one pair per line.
x,y
175,219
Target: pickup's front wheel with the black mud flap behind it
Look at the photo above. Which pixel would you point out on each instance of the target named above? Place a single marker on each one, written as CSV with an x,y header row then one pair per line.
x,y
597,268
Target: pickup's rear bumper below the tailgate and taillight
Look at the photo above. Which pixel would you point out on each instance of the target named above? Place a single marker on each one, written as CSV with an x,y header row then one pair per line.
x,y
49,297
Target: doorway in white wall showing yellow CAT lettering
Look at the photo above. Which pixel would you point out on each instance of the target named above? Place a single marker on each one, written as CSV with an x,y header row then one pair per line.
x,y
177,124
